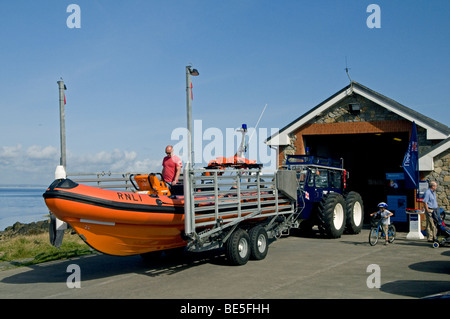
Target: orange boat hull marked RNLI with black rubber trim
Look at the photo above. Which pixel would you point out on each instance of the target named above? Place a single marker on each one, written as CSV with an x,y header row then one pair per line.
x,y
118,223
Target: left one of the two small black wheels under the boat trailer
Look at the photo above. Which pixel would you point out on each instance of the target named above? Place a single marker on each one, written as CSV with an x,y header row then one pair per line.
x,y
238,247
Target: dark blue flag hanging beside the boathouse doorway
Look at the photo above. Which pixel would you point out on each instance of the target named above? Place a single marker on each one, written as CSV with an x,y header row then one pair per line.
x,y
411,161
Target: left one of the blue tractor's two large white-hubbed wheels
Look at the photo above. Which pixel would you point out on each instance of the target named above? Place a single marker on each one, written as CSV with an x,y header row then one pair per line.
x,y
331,214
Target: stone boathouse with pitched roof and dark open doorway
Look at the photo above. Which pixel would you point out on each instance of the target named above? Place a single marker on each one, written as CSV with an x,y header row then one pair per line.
x,y
370,133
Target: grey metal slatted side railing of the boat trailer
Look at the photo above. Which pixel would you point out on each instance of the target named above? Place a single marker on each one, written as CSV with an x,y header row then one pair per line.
x,y
217,200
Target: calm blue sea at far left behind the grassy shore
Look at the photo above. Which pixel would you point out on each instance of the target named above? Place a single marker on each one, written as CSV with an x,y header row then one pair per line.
x,y
23,204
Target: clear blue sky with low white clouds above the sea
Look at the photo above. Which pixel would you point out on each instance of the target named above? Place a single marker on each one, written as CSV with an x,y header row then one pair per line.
x,y
125,71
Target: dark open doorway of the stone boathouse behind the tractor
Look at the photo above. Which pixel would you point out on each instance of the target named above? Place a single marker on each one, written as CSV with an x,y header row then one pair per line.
x,y
367,158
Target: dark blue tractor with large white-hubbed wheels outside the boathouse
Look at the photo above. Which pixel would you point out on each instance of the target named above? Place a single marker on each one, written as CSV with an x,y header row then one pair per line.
x,y
322,197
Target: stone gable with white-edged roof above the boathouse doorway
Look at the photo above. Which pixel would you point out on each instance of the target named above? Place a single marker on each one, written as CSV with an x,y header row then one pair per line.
x,y
376,112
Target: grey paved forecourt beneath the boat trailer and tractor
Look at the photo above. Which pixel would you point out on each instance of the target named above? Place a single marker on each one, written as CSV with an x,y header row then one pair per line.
x,y
296,267
